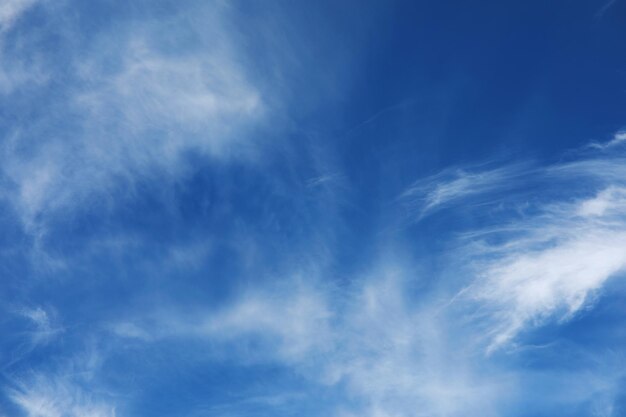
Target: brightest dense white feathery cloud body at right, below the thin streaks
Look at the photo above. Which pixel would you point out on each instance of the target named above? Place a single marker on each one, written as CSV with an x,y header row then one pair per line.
x,y
552,264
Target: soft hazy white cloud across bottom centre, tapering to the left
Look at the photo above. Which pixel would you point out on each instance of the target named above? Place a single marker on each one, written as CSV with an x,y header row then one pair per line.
x,y
394,359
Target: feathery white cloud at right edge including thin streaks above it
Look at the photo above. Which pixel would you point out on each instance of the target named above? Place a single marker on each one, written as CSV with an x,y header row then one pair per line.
x,y
549,253
